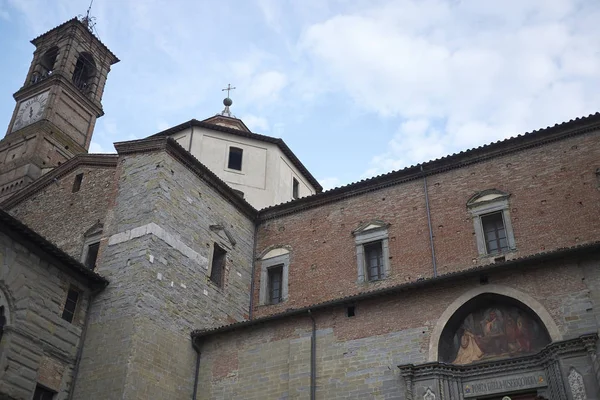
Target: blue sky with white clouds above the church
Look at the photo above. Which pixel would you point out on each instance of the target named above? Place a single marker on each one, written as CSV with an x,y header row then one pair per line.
x,y
355,88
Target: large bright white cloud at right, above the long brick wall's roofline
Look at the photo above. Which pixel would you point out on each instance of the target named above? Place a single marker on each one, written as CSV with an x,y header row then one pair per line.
x,y
469,73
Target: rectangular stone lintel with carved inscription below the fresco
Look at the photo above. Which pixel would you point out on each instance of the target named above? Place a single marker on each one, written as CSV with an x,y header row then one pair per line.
x,y
482,387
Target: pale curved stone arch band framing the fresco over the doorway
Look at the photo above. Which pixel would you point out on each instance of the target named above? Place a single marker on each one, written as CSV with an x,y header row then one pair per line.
x,y
524,298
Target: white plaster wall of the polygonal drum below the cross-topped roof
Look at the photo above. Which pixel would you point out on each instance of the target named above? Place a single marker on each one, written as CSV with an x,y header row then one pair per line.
x,y
266,176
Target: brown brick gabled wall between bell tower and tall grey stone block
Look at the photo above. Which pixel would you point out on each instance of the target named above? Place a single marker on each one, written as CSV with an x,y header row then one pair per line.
x,y
62,216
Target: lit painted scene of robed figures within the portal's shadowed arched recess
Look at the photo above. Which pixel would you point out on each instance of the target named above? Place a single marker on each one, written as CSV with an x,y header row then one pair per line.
x,y
497,332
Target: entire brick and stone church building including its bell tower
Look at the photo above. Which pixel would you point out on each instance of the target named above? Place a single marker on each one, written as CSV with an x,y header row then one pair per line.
x,y
206,262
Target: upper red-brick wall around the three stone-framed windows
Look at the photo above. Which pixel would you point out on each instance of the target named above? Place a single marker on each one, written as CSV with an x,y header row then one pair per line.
x,y
554,203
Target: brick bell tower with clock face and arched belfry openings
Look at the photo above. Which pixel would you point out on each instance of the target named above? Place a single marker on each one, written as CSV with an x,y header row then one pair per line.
x,y
57,106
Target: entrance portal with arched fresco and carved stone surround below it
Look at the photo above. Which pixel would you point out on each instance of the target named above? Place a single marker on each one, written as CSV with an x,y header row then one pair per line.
x,y
497,348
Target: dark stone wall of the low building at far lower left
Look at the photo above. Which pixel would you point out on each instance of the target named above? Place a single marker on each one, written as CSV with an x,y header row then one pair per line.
x,y
38,346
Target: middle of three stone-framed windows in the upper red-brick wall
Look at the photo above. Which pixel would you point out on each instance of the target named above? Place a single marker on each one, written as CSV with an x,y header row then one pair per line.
x,y
372,251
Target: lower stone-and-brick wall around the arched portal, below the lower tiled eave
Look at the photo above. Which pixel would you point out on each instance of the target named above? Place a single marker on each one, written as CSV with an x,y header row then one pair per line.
x,y
357,358
